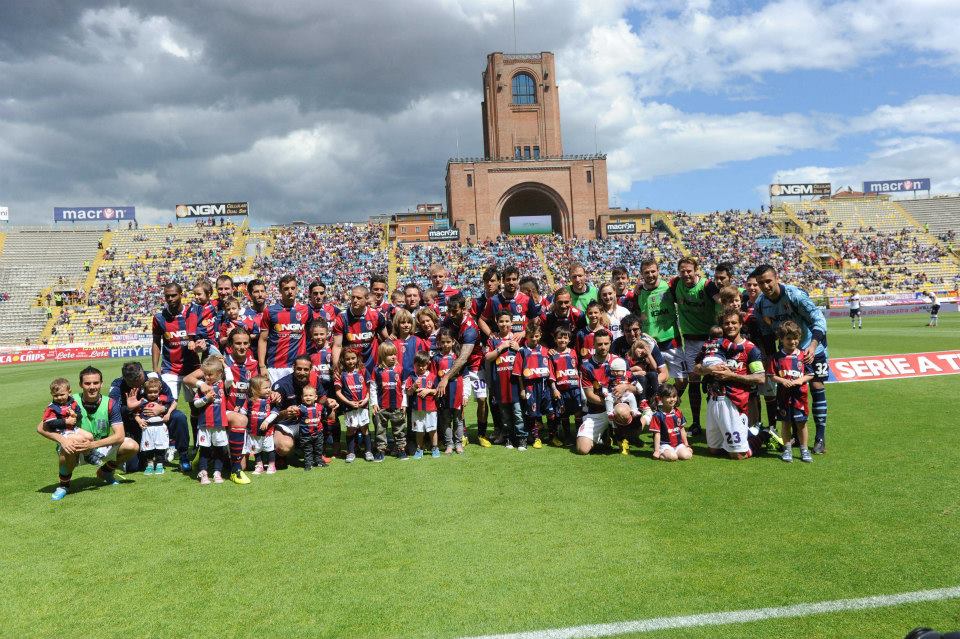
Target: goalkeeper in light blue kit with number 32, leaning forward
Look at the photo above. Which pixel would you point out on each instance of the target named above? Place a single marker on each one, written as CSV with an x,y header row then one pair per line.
x,y
778,303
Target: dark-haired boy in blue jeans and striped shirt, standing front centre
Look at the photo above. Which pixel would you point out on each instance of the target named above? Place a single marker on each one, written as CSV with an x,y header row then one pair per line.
x,y
505,394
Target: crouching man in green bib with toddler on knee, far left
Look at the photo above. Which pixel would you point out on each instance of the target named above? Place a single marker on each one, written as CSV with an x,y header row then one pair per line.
x,y
102,441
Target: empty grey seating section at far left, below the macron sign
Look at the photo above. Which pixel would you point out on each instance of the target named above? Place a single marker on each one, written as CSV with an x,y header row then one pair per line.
x,y
36,260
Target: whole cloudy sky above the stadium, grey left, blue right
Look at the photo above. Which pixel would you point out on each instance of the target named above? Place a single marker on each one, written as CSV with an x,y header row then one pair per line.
x,y
327,111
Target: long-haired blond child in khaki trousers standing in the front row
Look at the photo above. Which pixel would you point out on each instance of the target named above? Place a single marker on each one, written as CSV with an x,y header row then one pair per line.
x,y
388,402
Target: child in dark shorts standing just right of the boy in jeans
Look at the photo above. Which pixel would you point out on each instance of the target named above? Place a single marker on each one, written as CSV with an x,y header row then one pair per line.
x,y
536,380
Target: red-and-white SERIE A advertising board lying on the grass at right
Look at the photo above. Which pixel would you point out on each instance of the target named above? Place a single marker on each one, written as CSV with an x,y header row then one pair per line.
x,y
865,369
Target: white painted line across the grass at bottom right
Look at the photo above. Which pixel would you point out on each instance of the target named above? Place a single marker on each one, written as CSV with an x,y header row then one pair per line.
x,y
733,616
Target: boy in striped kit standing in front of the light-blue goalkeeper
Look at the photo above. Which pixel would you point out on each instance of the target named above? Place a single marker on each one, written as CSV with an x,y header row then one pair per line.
x,y
792,373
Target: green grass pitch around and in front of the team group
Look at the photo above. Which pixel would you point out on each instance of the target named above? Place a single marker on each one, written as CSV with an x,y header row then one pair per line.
x,y
500,541
